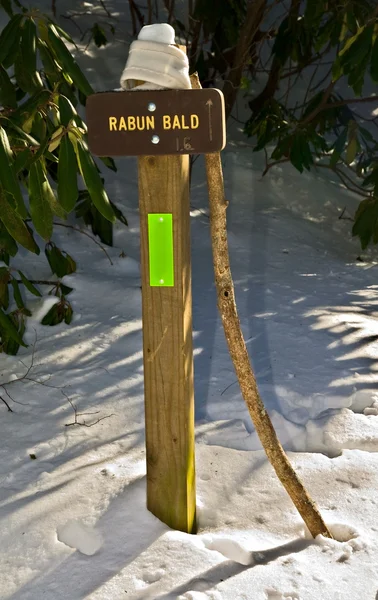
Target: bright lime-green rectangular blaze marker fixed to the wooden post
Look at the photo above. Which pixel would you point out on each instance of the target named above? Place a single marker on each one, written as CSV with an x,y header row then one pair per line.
x,y
160,247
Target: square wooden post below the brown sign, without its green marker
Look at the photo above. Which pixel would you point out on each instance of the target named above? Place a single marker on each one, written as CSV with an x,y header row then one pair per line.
x,y
167,348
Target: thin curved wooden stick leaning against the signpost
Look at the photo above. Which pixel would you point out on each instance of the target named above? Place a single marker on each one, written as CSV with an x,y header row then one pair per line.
x,y
239,353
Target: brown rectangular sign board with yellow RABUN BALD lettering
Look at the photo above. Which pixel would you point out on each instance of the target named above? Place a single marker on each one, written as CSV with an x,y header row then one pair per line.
x,y
156,122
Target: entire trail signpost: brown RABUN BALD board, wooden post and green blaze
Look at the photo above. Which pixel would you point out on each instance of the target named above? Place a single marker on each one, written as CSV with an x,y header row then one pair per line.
x,y
163,127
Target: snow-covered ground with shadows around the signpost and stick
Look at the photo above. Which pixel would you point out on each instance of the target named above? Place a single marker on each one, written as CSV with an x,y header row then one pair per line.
x,y
74,524
